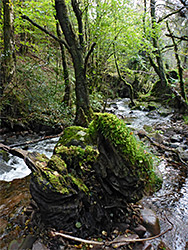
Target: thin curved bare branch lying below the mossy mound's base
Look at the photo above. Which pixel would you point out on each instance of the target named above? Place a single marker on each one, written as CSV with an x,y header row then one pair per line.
x,y
109,243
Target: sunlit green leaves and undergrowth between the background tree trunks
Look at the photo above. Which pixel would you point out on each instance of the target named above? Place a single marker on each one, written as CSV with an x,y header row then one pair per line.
x,y
39,87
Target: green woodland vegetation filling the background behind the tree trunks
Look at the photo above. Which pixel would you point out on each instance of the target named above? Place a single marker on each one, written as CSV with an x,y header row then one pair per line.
x,y
38,88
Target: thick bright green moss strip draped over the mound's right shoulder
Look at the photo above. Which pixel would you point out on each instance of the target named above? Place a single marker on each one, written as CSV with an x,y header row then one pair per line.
x,y
128,147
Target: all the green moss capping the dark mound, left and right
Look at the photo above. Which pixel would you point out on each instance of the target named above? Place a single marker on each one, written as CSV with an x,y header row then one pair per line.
x,y
67,169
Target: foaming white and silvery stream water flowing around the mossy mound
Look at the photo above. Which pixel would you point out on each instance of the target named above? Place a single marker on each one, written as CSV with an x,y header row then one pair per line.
x,y
170,201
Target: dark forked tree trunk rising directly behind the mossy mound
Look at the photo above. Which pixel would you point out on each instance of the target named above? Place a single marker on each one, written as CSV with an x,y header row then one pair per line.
x,y
83,110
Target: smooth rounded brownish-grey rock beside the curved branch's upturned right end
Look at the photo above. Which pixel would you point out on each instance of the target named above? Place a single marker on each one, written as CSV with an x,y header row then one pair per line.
x,y
150,221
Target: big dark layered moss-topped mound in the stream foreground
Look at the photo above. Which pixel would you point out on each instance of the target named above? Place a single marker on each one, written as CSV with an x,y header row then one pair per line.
x,y
94,172
